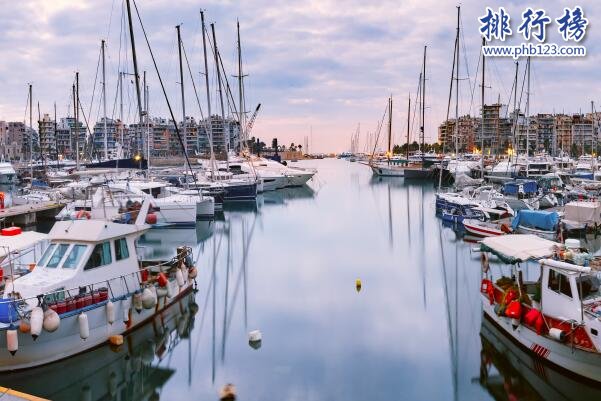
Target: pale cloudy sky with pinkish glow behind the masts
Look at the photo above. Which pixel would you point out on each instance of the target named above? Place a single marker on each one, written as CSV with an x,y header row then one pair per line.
x,y
321,69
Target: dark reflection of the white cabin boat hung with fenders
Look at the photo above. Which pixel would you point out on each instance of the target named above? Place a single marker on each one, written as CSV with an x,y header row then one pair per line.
x,y
137,370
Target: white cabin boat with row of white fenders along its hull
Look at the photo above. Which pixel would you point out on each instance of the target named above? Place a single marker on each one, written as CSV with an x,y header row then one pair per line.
x,y
88,286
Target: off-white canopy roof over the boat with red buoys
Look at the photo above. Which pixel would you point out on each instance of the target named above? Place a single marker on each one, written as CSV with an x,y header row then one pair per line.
x,y
516,248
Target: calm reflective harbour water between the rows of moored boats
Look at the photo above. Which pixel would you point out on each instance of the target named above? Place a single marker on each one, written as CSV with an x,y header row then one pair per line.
x,y
287,266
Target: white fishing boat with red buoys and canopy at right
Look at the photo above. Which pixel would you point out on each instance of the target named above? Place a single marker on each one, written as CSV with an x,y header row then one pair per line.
x,y
551,309
